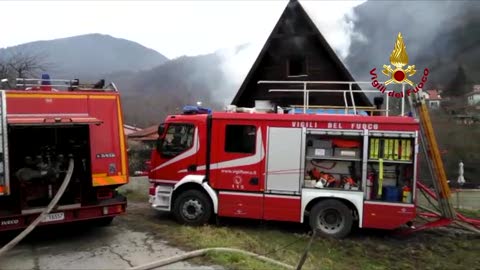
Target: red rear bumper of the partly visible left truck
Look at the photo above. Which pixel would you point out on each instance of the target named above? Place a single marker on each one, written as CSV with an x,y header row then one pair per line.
x,y
107,208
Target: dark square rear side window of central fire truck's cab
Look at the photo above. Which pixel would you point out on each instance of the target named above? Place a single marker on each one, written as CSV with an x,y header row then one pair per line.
x,y
240,139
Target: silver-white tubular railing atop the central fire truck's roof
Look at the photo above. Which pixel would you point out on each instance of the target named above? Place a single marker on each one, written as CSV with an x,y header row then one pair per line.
x,y
306,93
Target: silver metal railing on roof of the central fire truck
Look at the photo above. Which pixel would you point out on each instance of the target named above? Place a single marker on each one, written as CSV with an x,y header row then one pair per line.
x,y
348,96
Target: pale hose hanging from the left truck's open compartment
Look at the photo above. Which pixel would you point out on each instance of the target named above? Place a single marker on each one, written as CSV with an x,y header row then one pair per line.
x,y
45,212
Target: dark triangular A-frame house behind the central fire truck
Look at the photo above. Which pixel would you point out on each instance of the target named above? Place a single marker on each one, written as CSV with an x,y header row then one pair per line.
x,y
296,51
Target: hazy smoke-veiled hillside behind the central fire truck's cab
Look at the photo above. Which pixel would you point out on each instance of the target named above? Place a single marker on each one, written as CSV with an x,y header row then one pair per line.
x,y
148,96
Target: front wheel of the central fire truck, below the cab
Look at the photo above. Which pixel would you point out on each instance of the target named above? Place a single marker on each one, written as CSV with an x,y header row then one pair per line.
x,y
192,207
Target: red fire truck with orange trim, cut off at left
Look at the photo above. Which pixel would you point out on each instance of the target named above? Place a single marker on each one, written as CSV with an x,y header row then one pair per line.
x,y
45,123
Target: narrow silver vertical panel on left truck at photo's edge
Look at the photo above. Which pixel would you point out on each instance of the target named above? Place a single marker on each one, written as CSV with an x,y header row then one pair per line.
x,y
4,173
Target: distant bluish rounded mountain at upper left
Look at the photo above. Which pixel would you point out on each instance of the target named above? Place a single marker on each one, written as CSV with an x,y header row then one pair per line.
x,y
89,57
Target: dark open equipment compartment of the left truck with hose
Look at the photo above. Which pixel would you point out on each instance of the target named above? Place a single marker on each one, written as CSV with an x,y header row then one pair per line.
x,y
39,163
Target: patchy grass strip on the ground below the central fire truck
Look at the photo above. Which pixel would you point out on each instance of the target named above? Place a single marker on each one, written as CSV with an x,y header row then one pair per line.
x,y
286,242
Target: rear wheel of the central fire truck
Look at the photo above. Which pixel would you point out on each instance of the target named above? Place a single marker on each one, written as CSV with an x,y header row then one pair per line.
x,y
331,218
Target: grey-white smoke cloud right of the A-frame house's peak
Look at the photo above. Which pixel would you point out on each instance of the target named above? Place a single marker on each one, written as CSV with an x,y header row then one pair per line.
x,y
427,27
